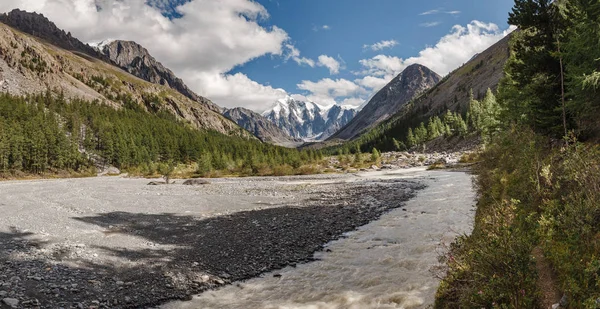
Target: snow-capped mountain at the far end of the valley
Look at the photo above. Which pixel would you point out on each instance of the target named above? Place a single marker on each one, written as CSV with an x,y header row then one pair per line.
x,y
308,120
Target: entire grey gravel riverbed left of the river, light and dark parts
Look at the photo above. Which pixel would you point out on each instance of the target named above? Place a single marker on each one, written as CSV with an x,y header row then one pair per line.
x,y
112,242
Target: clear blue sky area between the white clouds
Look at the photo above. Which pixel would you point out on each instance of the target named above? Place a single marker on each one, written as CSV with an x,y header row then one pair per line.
x,y
354,23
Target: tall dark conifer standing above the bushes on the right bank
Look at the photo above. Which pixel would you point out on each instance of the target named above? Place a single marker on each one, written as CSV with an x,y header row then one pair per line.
x,y
531,89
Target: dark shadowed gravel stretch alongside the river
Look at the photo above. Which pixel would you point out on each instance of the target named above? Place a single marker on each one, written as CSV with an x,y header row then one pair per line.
x,y
187,255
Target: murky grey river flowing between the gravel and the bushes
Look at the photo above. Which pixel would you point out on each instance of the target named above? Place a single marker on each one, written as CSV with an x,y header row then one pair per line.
x,y
385,264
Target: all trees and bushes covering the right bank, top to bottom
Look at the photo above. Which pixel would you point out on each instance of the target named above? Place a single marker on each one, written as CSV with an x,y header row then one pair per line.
x,y
538,177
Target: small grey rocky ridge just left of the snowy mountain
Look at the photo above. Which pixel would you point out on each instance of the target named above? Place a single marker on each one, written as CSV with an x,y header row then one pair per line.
x,y
261,127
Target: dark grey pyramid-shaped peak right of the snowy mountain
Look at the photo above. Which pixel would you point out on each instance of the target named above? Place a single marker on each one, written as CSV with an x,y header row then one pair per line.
x,y
414,80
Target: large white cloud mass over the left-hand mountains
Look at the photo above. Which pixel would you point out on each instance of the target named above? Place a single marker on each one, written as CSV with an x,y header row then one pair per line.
x,y
210,39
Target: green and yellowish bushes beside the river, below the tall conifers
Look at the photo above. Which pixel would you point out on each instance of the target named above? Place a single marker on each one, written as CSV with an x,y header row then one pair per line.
x,y
531,193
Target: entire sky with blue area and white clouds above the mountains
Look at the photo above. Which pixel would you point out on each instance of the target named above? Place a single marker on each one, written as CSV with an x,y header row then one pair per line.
x,y
245,53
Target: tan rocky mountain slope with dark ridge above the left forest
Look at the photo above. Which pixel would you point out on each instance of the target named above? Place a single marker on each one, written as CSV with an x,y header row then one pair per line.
x,y
31,64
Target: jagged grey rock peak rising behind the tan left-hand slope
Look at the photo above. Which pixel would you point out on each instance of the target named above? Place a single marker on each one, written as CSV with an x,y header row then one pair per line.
x,y
135,59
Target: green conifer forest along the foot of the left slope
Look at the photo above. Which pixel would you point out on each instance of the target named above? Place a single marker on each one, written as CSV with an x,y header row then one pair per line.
x,y
46,134
